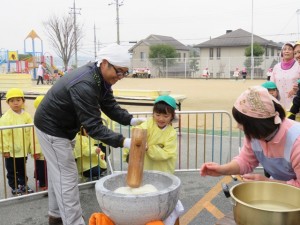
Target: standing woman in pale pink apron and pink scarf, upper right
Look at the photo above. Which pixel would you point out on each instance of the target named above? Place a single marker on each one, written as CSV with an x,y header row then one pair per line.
x,y
285,75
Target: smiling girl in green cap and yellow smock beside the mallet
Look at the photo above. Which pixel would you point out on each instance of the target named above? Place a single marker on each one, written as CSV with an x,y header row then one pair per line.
x,y
161,152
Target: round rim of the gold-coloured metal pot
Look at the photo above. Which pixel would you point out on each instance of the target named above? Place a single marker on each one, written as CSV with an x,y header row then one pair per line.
x,y
258,208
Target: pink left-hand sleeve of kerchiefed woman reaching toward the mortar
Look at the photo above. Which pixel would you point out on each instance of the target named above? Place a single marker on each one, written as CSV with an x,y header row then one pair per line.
x,y
246,159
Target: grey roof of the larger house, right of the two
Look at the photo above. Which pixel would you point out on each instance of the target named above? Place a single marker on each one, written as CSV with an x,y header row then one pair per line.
x,y
236,38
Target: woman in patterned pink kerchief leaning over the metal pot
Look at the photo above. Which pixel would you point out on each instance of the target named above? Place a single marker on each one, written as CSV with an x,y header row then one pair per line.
x,y
270,140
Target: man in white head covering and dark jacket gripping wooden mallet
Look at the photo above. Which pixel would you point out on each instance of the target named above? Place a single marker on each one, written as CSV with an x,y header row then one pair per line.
x,y
75,100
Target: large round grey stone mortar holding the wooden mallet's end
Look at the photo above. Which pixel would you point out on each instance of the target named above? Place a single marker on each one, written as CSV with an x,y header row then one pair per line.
x,y
138,209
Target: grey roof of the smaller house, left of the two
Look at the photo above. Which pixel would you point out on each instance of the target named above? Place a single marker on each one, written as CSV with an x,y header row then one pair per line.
x,y
159,39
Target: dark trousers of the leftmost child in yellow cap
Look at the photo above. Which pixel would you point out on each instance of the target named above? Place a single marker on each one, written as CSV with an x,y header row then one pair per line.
x,y
15,171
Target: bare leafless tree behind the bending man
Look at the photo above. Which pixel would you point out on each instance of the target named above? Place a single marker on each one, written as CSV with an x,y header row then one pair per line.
x,y
60,32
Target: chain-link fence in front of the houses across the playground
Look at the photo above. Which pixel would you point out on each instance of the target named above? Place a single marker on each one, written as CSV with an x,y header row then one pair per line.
x,y
193,67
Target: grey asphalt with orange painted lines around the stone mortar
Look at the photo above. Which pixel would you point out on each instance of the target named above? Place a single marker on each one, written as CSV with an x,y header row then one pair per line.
x,y
202,198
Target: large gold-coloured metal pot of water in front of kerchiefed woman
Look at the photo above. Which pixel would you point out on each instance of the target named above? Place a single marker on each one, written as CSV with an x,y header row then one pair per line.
x,y
265,203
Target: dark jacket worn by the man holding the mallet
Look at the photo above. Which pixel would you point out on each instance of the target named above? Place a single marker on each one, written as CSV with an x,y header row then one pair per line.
x,y
77,99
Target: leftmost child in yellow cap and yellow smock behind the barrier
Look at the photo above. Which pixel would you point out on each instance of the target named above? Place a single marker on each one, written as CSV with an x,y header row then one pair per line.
x,y
16,143
